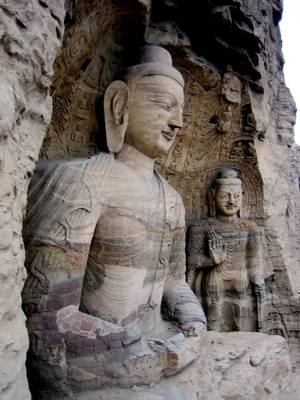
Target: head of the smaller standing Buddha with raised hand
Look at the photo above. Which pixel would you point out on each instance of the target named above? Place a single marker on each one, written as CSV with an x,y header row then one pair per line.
x,y
225,197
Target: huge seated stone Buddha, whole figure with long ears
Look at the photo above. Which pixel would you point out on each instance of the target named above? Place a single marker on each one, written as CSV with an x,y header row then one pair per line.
x,y
105,243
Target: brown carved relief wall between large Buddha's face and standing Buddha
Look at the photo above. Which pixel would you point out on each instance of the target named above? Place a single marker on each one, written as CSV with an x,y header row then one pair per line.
x,y
215,134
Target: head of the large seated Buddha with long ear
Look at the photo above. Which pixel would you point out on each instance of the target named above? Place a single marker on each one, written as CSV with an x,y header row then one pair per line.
x,y
145,109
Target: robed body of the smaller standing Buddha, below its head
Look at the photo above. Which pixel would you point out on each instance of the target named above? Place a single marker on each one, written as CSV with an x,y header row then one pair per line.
x,y
227,290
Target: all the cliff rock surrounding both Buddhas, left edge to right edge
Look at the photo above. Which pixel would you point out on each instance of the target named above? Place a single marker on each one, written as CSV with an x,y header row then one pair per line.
x,y
238,112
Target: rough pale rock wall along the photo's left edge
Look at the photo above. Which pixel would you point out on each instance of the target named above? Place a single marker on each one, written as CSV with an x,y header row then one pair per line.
x,y
31,33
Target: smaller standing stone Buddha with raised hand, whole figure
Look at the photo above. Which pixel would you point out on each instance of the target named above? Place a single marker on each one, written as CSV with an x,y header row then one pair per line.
x,y
224,261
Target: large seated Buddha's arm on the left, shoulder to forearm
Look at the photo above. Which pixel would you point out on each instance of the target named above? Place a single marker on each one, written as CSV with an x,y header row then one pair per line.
x,y
61,219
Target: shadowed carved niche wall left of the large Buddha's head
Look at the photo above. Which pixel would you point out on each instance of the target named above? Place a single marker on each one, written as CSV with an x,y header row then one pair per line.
x,y
92,54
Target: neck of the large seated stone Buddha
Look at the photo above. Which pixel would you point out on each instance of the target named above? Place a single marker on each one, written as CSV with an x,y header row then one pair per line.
x,y
137,160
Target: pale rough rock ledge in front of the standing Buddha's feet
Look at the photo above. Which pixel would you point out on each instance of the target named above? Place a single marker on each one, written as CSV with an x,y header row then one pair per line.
x,y
230,366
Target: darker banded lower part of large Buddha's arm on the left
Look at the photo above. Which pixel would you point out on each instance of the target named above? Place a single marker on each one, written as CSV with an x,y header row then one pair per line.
x,y
52,298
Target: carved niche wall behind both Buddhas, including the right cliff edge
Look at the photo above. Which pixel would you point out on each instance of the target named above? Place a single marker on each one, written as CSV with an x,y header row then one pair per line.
x,y
238,112
